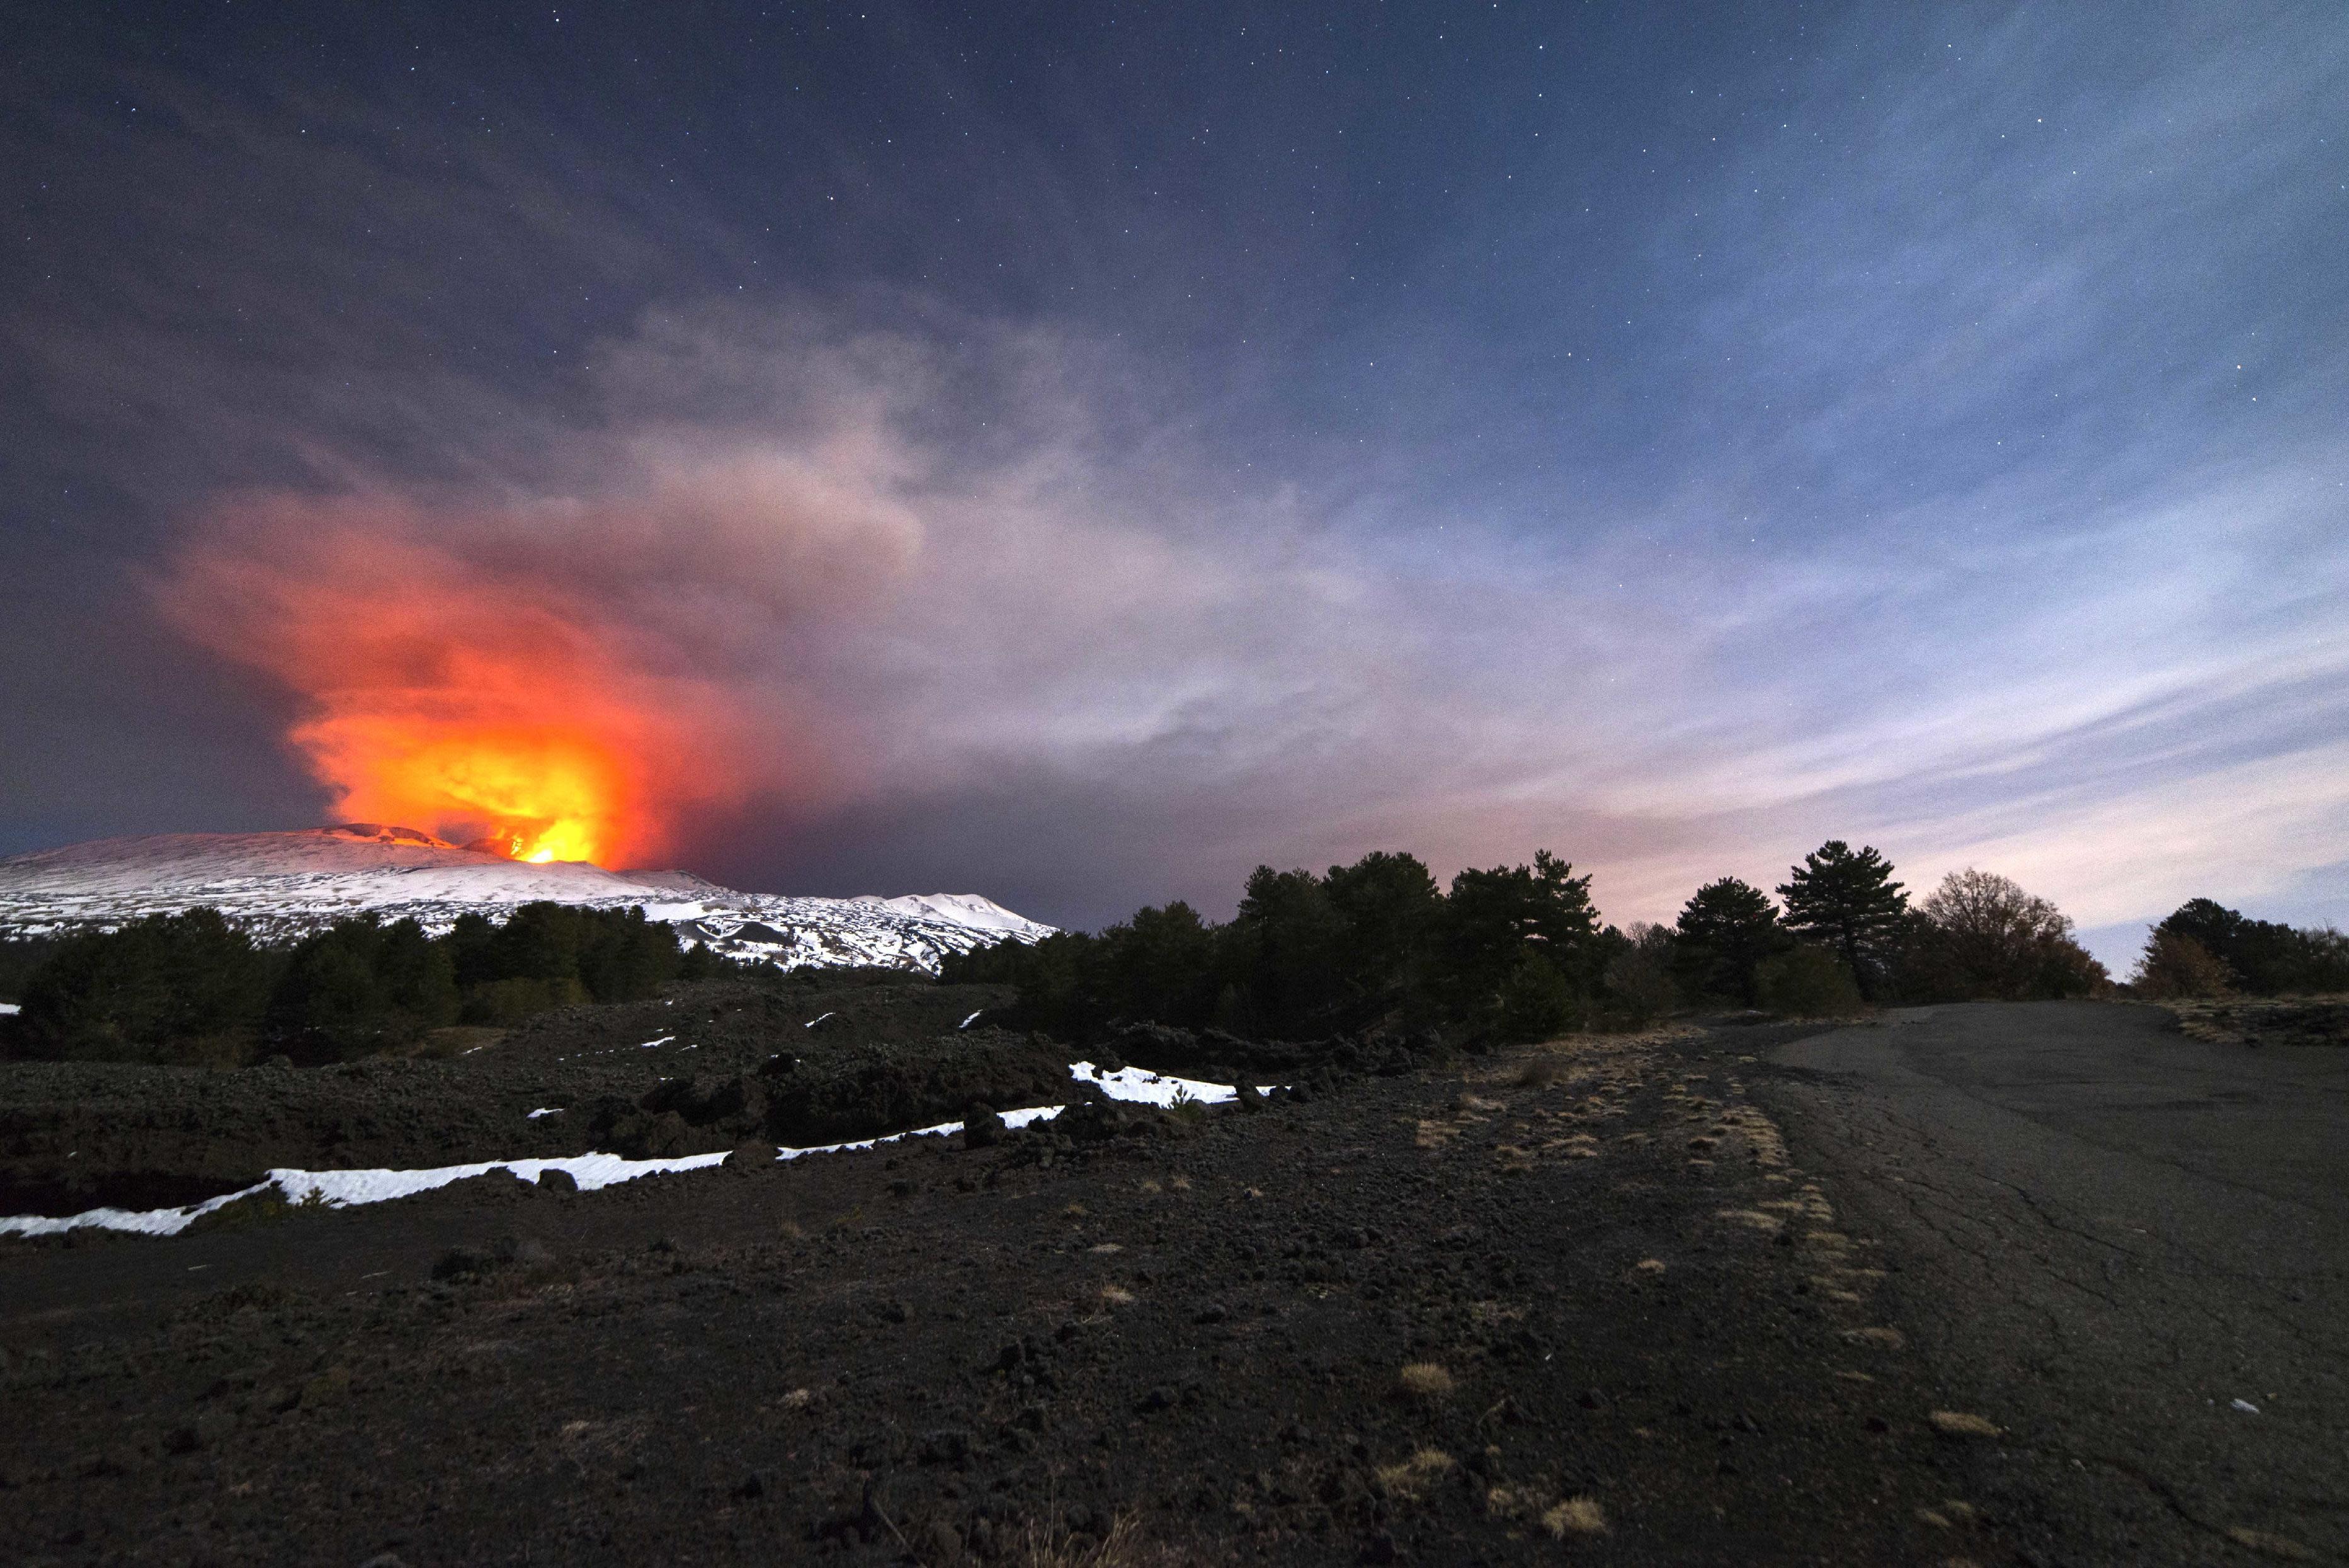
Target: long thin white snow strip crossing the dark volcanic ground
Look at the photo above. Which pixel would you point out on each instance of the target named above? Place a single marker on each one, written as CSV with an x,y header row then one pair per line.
x,y
591,1172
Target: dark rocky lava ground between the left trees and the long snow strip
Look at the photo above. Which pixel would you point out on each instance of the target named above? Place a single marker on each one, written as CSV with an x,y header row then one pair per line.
x,y
819,1060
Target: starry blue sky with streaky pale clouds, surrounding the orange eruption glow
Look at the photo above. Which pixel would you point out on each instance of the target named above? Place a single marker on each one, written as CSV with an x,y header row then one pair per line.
x,y
1112,447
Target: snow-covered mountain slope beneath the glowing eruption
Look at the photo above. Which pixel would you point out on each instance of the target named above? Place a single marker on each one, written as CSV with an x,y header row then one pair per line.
x,y
283,886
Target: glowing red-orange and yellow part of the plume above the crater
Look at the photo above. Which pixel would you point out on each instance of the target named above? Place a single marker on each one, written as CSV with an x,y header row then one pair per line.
x,y
466,701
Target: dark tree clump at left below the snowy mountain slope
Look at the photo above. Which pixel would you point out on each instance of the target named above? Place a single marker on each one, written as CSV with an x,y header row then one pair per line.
x,y
196,989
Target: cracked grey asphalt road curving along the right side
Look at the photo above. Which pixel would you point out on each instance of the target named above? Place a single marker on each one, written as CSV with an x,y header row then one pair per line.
x,y
2127,1248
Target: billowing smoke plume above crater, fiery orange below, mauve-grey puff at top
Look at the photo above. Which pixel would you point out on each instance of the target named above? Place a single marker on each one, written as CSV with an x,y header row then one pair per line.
x,y
570,680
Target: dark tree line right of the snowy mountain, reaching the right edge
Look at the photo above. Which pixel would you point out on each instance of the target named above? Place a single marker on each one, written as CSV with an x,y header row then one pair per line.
x,y
1521,954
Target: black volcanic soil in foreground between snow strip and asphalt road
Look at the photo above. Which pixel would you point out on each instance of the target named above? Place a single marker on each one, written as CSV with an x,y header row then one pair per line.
x,y
1573,1306
